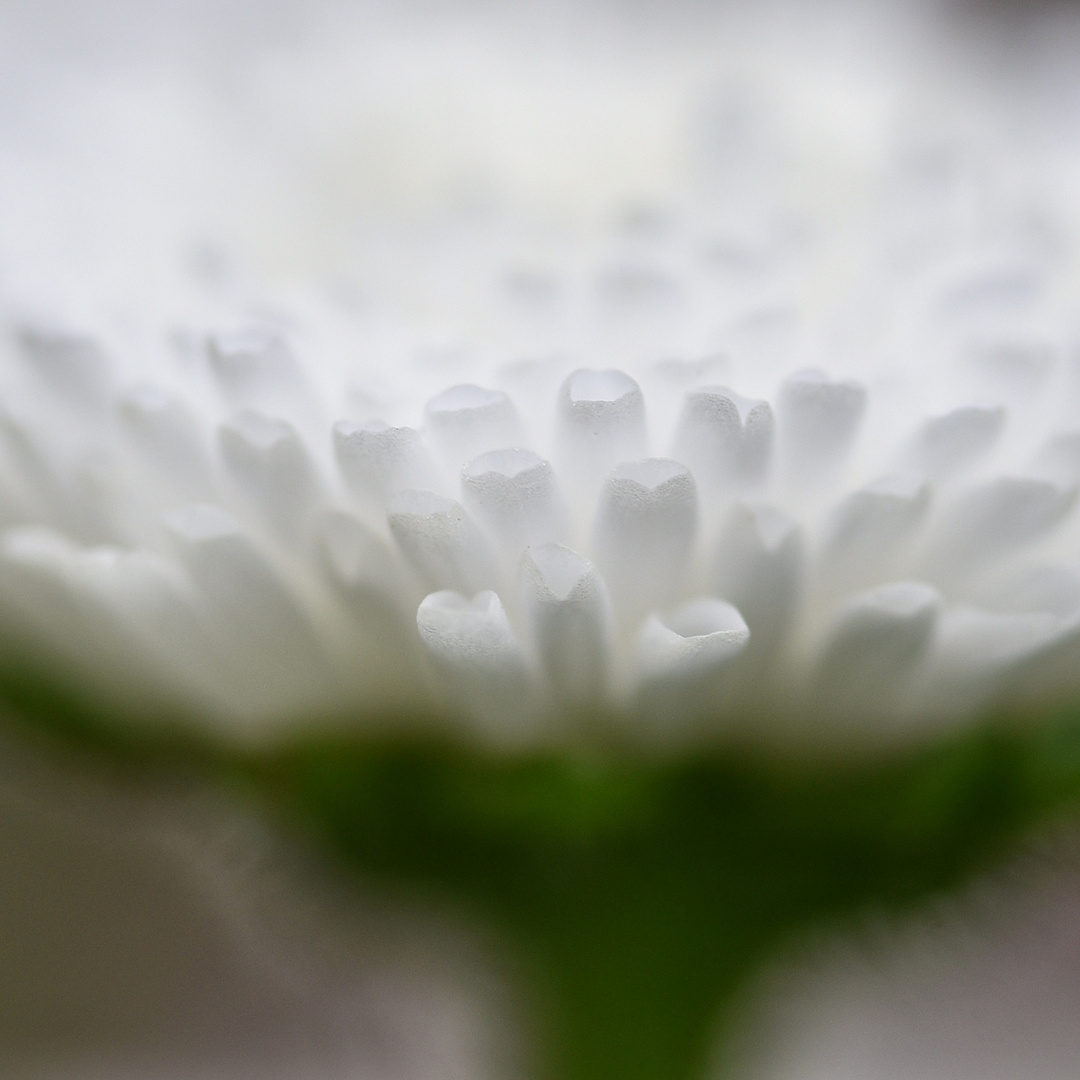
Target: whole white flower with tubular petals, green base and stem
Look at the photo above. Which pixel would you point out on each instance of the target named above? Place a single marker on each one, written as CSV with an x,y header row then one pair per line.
x,y
586,463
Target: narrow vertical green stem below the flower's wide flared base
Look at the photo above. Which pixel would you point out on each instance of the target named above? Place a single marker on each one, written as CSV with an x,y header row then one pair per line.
x,y
631,971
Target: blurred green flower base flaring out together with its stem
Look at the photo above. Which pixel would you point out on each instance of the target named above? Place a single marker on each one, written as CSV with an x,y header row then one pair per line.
x,y
639,897
